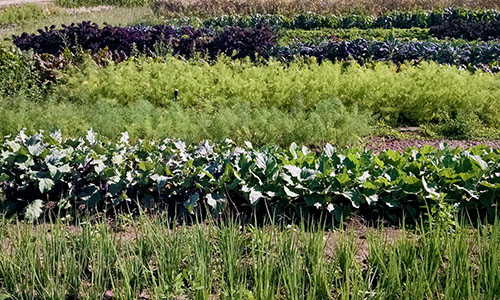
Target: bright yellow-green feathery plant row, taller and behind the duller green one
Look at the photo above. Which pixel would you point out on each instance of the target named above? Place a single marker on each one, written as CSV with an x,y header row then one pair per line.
x,y
409,95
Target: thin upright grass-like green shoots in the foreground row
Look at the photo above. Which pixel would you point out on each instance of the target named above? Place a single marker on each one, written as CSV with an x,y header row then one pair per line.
x,y
146,258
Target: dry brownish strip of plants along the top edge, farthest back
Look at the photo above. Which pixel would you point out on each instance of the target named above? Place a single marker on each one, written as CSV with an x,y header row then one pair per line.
x,y
208,7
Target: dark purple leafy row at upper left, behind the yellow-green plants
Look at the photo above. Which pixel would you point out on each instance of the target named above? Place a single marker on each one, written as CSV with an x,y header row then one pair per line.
x,y
123,41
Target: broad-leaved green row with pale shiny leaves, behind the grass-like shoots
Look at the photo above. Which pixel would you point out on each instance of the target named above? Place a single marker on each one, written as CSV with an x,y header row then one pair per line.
x,y
44,174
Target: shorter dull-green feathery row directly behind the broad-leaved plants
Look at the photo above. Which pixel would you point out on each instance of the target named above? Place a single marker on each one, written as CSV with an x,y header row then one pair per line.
x,y
329,121
